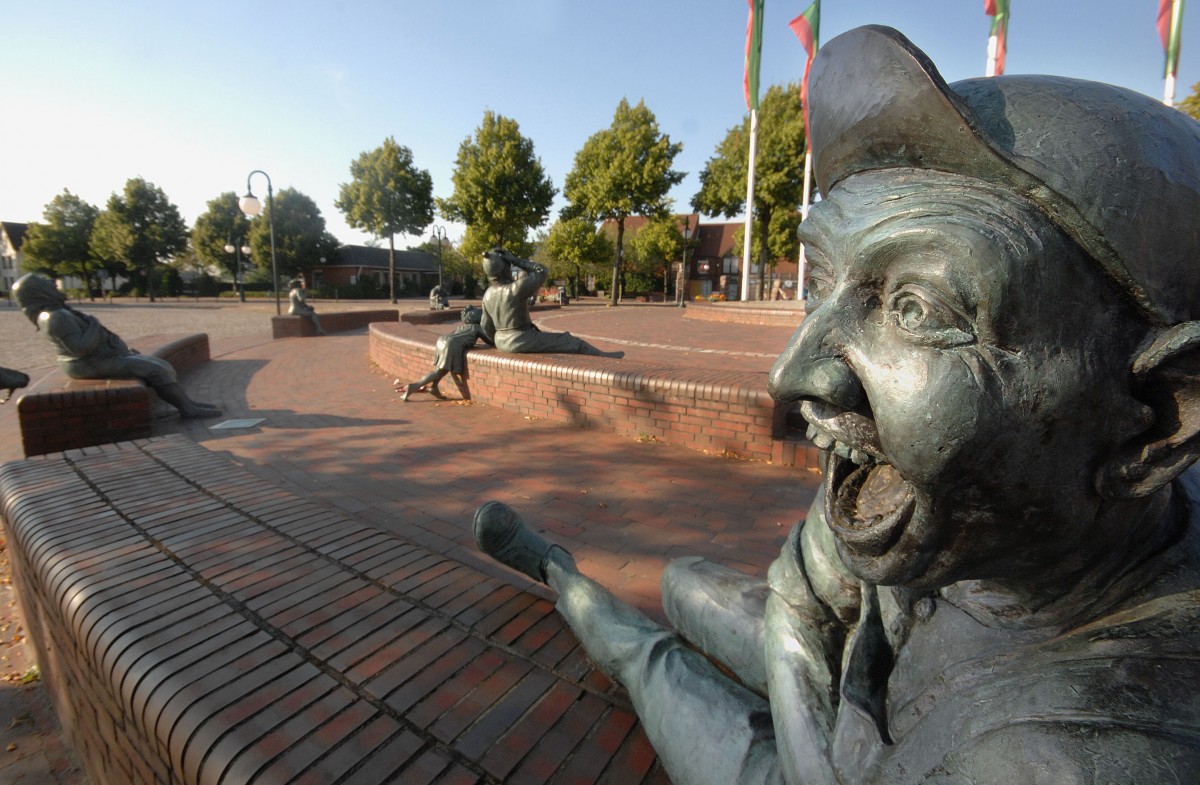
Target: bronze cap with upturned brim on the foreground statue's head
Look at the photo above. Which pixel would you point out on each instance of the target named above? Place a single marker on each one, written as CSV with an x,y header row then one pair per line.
x,y
1118,171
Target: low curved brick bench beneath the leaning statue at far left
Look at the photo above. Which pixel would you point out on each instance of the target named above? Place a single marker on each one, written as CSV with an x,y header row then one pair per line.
x,y
63,414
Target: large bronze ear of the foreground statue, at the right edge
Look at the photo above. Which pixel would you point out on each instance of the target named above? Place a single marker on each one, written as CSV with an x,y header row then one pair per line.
x,y
1167,380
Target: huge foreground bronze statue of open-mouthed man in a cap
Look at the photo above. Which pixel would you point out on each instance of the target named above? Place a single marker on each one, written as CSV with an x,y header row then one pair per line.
x,y
999,582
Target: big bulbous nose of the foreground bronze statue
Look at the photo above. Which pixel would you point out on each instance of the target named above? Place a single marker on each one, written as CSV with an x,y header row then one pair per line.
x,y
813,368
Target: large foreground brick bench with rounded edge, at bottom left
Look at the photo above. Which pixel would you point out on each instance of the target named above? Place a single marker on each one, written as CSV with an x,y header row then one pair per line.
x,y
197,625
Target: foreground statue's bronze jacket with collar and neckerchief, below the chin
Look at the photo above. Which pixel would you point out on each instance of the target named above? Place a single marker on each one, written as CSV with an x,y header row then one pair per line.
x,y
898,688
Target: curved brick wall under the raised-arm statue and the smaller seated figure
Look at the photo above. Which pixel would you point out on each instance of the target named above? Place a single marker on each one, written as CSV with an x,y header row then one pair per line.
x,y
727,412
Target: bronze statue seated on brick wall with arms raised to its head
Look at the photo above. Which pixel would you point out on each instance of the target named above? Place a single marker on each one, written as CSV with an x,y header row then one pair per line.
x,y
507,321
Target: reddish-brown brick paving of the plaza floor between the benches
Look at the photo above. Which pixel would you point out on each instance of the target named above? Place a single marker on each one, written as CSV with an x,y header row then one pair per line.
x,y
335,432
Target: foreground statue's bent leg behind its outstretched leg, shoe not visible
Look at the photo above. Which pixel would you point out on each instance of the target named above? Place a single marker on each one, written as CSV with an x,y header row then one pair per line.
x,y
719,612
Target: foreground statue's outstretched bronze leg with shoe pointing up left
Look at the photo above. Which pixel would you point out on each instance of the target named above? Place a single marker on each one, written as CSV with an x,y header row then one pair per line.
x,y
706,728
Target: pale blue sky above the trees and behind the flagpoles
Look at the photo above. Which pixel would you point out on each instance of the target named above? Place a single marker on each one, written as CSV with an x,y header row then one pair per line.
x,y
195,95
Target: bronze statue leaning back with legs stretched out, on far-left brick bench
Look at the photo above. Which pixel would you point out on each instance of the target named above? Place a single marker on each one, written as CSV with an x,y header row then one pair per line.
x,y
89,351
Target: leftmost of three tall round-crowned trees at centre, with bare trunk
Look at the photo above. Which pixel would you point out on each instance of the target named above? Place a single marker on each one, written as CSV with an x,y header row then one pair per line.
x,y
388,196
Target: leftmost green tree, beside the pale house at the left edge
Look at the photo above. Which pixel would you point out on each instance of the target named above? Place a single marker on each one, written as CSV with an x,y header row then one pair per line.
x,y
59,247
